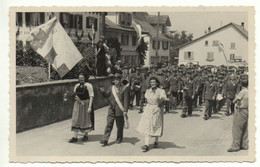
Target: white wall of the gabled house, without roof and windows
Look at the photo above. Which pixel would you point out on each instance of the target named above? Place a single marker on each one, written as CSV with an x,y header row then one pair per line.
x,y
226,37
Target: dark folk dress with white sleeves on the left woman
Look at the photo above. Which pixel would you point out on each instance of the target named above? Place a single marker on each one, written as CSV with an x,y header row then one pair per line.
x,y
81,119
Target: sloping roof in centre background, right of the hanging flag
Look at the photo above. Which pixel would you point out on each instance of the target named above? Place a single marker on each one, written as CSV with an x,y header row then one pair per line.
x,y
147,27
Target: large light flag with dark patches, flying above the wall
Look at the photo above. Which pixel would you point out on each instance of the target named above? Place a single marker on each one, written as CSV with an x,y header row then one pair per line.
x,y
51,41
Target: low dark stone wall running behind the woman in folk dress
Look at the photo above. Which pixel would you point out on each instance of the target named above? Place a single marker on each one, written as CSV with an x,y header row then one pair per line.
x,y
42,104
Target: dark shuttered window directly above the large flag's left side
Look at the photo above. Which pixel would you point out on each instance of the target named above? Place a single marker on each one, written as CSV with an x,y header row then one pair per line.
x,y
34,19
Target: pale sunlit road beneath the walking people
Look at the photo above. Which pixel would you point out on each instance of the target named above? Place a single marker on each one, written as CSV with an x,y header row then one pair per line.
x,y
191,136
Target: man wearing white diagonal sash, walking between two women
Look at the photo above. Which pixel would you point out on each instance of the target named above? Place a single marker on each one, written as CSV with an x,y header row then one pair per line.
x,y
118,96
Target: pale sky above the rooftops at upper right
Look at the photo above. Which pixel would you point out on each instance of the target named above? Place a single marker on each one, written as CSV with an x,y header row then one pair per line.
x,y
198,22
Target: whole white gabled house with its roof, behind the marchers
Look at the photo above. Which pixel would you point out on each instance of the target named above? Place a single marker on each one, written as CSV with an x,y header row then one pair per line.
x,y
207,50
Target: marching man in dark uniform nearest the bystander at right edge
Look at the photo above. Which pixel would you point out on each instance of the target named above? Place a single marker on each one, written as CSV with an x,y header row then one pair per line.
x,y
230,90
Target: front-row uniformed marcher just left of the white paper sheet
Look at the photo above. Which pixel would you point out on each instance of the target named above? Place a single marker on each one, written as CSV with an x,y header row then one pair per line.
x,y
209,93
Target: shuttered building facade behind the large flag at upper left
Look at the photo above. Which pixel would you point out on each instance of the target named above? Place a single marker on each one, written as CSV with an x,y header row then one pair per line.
x,y
84,27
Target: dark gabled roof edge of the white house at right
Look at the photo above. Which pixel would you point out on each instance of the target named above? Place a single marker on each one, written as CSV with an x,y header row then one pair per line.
x,y
239,28
